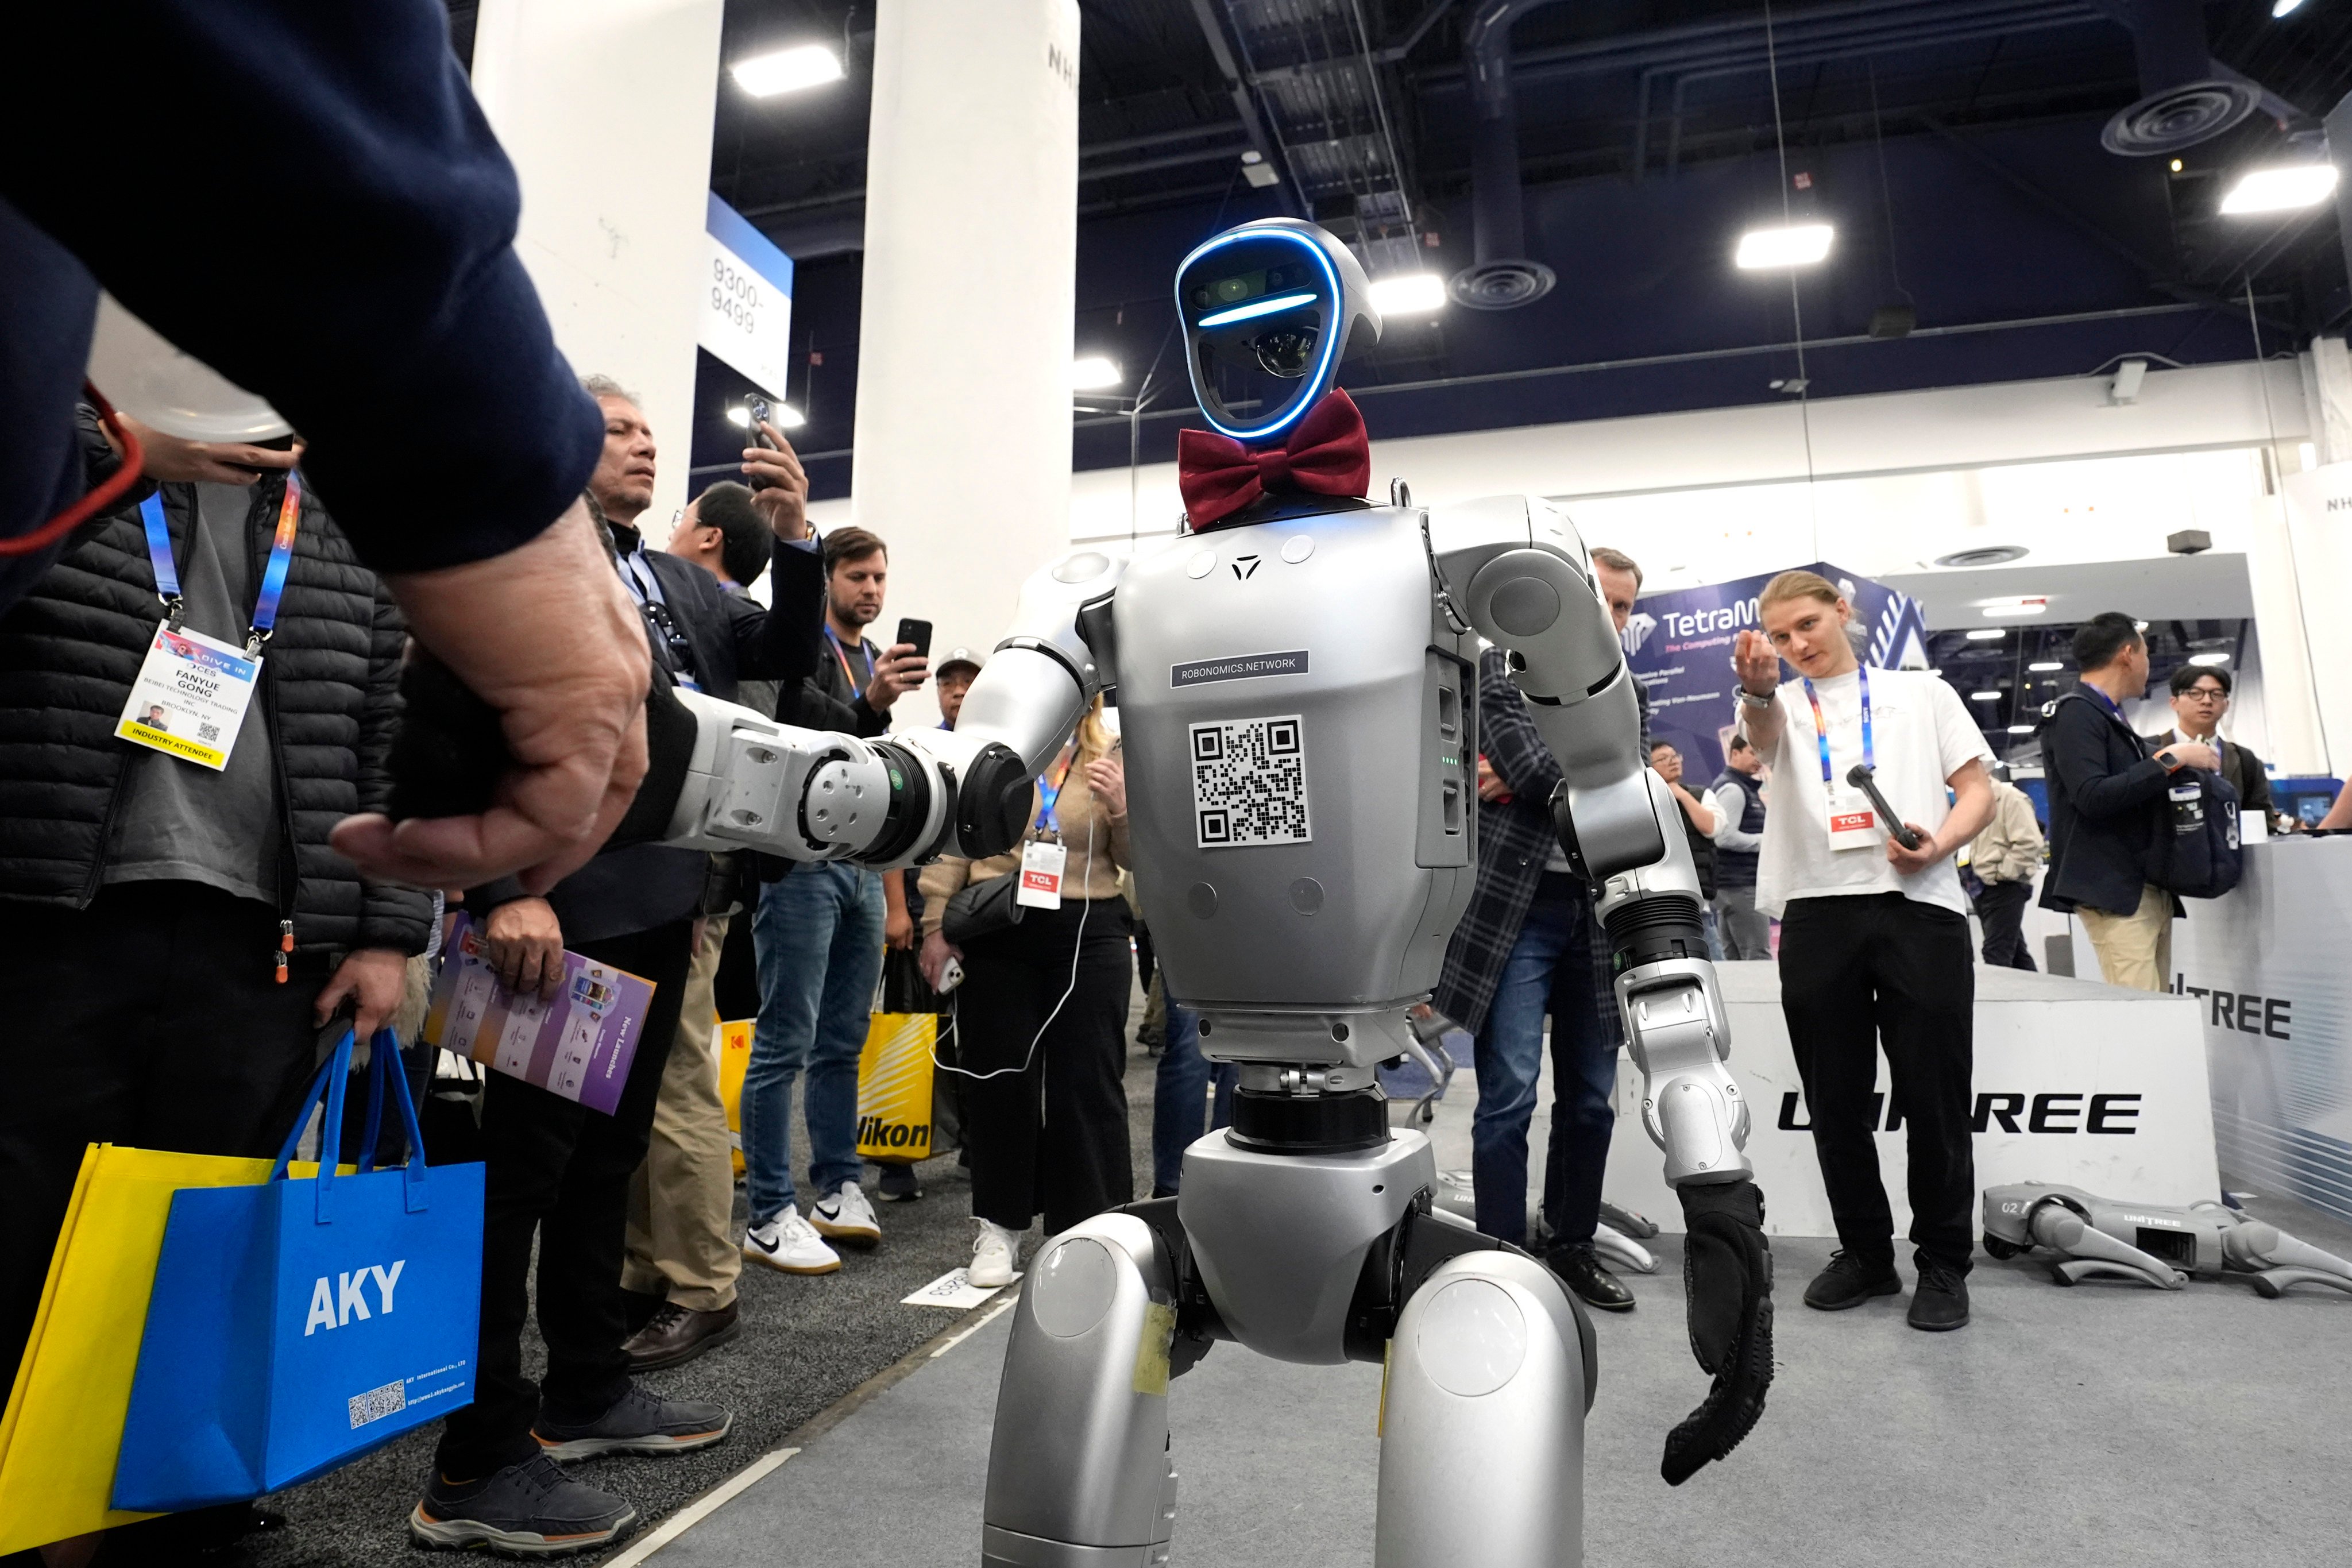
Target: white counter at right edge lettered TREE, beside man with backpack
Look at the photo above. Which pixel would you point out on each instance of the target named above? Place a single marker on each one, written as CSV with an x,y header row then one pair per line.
x,y
2271,977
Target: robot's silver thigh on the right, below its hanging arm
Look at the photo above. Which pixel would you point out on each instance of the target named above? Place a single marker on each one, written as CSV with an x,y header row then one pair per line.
x,y
1483,1428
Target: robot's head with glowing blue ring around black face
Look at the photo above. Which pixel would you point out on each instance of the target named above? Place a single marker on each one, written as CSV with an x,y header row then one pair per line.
x,y
1269,311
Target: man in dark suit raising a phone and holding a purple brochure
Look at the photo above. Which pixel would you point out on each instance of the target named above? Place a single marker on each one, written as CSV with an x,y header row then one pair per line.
x,y
559,1170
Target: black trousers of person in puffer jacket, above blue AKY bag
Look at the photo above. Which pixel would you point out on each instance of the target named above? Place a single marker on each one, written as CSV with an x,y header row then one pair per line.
x,y
152,1019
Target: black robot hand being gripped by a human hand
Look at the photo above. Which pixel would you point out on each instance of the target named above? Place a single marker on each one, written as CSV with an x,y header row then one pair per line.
x,y
450,753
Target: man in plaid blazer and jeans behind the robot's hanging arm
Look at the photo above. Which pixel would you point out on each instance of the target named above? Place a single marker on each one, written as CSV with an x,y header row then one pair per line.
x,y
1532,946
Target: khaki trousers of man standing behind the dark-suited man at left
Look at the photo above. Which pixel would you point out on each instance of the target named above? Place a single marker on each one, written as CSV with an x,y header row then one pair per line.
x,y
681,1205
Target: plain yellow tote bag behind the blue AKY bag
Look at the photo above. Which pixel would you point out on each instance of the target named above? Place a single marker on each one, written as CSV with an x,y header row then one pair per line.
x,y
65,1416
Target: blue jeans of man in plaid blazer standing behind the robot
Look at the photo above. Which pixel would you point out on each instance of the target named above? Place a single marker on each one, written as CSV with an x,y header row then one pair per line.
x,y
1551,970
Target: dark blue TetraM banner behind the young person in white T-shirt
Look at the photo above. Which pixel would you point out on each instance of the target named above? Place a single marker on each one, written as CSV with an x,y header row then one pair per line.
x,y
1681,650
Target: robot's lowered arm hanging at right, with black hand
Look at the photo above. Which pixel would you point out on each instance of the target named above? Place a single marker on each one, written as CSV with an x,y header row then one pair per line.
x,y
1516,572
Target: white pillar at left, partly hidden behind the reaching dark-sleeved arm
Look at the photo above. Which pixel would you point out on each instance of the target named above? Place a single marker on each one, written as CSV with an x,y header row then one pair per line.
x,y
606,109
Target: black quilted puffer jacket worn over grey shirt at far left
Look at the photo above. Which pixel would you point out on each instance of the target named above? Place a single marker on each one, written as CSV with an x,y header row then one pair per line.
x,y
330,702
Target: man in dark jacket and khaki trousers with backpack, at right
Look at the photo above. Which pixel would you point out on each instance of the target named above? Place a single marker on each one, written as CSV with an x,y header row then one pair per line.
x,y
2106,800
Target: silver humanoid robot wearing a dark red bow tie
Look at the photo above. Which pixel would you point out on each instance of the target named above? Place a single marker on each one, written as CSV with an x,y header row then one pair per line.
x,y
1297,690
